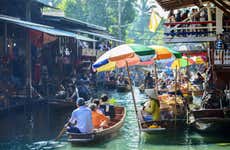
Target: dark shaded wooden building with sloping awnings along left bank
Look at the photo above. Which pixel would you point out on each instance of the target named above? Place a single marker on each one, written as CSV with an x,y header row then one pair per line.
x,y
24,28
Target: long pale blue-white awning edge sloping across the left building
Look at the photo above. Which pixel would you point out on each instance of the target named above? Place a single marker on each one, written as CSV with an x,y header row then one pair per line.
x,y
43,28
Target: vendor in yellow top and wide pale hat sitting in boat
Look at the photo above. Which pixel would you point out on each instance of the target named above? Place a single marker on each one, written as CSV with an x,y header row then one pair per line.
x,y
153,105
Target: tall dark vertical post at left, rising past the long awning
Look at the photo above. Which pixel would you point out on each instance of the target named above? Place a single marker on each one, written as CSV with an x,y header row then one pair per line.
x,y
28,53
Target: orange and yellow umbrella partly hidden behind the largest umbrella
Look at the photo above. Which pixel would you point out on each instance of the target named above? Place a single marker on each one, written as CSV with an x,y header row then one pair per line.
x,y
164,52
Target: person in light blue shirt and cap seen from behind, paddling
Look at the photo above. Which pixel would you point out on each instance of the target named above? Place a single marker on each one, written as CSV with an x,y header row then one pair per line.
x,y
81,119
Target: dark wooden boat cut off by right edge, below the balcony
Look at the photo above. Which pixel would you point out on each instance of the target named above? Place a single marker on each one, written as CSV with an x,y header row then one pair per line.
x,y
210,120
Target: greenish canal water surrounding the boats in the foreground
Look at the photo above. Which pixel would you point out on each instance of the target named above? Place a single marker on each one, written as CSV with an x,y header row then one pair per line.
x,y
36,127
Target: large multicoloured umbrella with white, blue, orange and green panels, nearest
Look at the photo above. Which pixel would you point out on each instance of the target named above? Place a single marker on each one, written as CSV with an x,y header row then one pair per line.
x,y
132,54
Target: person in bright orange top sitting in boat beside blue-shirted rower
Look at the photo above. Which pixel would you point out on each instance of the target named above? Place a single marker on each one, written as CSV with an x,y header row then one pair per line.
x,y
99,120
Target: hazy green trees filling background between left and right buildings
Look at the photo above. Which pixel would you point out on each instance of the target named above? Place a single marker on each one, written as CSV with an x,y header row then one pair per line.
x,y
135,16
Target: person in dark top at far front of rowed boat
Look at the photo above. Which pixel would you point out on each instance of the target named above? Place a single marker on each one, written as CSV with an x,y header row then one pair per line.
x,y
107,109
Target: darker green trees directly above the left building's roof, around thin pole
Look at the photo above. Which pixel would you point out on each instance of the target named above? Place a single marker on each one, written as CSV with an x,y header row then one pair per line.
x,y
100,12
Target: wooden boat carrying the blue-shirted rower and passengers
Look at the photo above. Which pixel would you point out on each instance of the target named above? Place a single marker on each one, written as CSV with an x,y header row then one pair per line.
x,y
99,135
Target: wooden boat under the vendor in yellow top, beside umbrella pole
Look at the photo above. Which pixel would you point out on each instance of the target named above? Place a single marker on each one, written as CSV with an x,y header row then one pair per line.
x,y
162,126
